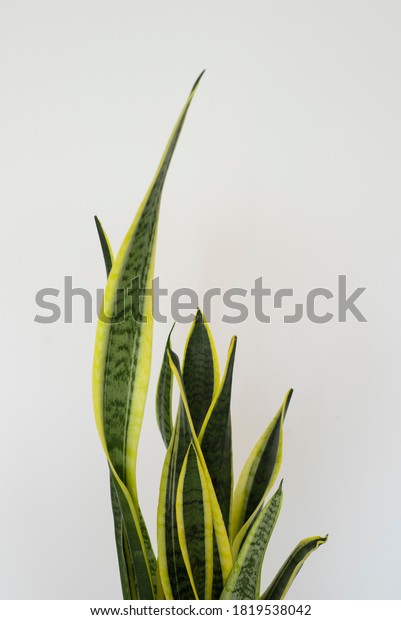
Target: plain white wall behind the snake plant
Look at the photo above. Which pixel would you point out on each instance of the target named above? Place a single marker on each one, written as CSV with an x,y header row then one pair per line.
x,y
288,168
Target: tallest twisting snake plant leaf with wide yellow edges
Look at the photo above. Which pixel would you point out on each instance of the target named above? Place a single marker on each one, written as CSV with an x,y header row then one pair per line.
x,y
122,361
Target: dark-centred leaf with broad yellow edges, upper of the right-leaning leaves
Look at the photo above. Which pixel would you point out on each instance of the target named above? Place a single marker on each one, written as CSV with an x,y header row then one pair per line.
x,y
258,475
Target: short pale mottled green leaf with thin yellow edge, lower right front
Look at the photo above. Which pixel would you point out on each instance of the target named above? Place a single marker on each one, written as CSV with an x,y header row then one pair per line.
x,y
244,580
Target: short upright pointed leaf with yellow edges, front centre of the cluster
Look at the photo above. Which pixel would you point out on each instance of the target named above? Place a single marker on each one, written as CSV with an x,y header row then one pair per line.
x,y
195,525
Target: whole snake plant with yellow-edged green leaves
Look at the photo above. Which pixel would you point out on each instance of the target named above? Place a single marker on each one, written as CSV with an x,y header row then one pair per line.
x,y
211,541
